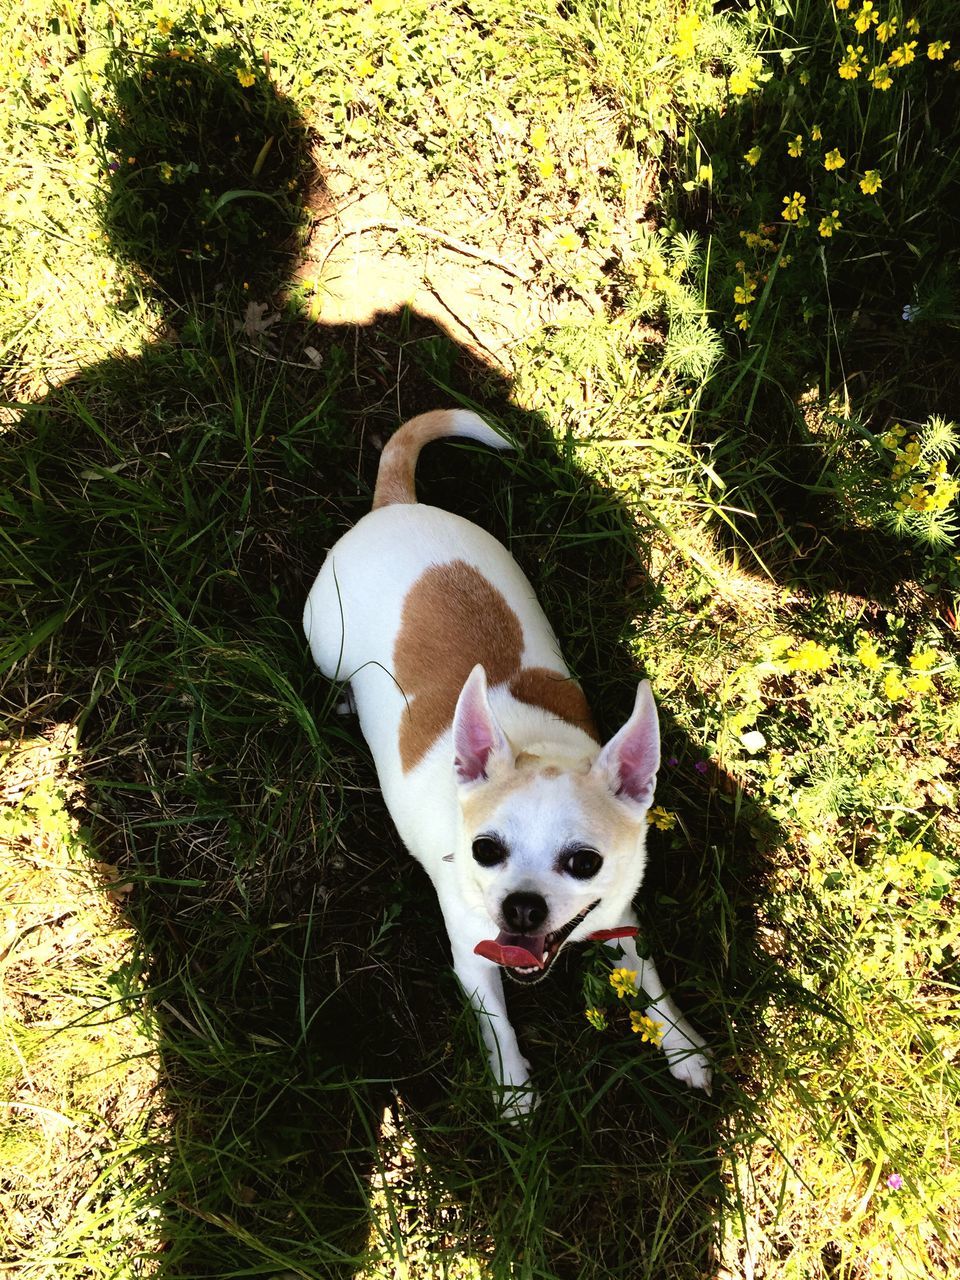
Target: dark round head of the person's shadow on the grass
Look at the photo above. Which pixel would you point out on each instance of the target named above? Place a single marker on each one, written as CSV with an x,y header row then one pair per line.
x,y
209,172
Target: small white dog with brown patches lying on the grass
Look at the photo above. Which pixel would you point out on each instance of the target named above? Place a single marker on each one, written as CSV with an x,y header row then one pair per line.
x,y
532,831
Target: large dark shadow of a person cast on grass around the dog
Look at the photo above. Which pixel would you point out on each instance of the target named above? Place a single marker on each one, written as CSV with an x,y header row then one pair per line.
x,y
175,509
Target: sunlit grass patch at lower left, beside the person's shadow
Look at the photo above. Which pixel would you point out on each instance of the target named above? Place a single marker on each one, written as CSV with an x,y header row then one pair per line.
x,y
80,1114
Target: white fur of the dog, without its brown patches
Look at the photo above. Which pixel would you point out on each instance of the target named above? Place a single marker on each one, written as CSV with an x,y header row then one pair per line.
x,y
353,619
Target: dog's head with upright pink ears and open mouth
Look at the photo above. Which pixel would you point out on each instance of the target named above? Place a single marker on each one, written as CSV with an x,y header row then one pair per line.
x,y
552,849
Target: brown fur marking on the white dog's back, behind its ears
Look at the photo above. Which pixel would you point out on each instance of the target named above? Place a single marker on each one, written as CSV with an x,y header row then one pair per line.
x,y
455,619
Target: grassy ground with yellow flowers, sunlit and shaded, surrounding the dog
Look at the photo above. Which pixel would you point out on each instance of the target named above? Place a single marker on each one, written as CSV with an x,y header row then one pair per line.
x,y
239,246
